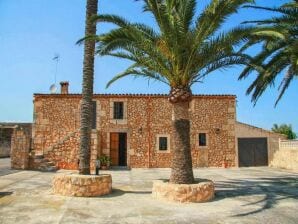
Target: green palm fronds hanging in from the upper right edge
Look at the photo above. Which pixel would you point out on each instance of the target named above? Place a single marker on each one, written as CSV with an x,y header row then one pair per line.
x,y
279,38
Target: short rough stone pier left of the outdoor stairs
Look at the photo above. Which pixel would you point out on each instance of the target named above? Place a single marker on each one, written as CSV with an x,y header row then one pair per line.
x,y
20,147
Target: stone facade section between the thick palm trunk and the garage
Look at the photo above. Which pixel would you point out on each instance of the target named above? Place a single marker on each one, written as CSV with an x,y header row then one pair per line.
x,y
216,117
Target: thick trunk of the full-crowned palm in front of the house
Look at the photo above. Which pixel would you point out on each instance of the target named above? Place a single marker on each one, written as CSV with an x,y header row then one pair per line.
x,y
181,172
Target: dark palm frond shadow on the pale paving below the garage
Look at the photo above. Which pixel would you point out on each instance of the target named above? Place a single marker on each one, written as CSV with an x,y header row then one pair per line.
x,y
272,189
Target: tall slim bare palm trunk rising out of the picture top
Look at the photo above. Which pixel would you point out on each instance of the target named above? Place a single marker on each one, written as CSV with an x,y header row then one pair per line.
x,y
87,91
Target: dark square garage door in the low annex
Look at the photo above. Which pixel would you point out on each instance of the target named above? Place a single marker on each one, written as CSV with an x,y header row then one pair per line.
x,y
252,152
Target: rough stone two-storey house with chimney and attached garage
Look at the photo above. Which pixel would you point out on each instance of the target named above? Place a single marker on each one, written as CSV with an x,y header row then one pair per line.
x,y
135,131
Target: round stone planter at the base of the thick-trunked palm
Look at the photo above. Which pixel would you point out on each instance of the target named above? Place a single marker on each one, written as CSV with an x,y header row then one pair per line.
x,y
202,191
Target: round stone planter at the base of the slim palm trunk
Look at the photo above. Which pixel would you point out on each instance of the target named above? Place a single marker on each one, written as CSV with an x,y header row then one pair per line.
x,y
82,185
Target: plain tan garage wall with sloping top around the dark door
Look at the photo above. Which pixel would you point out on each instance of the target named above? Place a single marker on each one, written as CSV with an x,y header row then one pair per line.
x,y
247,131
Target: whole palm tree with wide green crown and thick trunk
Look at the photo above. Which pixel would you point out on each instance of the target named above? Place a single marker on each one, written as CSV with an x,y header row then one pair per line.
x,y
180,52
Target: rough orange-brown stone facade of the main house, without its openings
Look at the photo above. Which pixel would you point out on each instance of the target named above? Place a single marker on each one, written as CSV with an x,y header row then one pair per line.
x,y
146,117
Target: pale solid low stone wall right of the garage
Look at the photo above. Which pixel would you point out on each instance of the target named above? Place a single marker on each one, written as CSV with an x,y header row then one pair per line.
x,y
286,159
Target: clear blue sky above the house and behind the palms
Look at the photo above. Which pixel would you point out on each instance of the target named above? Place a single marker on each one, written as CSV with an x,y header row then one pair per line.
x,y
33,31
